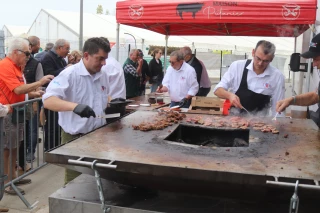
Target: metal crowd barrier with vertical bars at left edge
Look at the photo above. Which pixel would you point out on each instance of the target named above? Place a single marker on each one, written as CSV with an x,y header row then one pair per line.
x,y
19,140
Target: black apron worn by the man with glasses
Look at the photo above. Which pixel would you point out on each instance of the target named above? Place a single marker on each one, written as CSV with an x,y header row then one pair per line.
x,y
250,100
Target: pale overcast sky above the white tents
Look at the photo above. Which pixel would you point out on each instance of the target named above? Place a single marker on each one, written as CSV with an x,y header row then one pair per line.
x,y
24,12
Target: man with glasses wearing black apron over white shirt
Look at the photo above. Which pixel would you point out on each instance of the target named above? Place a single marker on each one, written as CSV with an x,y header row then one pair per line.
x,y
253,85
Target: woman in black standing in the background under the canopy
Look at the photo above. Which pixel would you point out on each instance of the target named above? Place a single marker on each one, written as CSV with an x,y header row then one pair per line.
x,y
155,68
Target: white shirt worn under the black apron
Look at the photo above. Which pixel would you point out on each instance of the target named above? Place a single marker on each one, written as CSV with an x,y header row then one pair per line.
x,y
270,82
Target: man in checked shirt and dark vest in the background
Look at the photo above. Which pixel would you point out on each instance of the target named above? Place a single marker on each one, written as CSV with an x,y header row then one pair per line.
x,y
132,73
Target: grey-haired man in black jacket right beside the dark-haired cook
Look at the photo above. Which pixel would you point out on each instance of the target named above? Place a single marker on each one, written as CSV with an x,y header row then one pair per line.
x,y
53,63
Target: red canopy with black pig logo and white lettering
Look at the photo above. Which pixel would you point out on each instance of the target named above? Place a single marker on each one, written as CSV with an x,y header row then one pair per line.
x,y
207,17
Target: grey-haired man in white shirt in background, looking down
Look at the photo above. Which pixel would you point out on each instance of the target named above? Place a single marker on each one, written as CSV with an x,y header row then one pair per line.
x,y
180,81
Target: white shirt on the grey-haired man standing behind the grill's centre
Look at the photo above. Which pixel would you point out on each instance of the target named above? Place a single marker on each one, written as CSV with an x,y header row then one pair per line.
x,y
181,83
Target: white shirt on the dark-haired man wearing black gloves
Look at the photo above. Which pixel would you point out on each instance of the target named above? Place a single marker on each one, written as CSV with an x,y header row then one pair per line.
x,y
76,84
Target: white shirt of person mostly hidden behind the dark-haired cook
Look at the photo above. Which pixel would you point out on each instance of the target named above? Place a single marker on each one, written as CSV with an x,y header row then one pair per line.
x,y
115,78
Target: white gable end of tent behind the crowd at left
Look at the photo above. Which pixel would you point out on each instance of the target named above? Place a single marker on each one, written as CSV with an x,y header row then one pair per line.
x,y
49,29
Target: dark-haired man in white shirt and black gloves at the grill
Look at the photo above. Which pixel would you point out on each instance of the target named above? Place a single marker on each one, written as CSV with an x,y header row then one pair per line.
x,y
79,93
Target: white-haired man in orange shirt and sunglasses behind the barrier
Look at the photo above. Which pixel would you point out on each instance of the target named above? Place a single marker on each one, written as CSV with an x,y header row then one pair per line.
x,y
13,90
